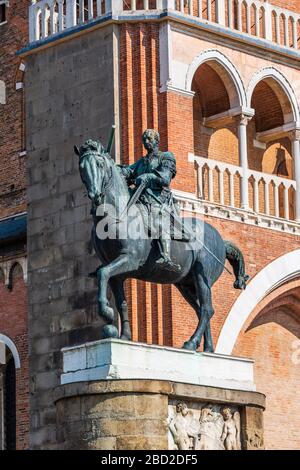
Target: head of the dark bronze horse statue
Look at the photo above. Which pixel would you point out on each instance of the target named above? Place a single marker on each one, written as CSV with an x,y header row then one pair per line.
x,y
92,167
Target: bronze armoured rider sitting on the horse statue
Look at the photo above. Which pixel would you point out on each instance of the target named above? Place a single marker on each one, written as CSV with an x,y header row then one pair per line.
x,y
155,171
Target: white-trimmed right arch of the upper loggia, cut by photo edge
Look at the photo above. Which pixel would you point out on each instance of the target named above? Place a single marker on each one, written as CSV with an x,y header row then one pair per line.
x,y
282,88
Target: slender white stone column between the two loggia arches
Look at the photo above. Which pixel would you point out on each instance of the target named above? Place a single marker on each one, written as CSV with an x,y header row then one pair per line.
x,y
243,156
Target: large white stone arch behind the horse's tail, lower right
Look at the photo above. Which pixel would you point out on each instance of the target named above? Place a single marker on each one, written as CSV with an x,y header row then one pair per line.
x,y
278,272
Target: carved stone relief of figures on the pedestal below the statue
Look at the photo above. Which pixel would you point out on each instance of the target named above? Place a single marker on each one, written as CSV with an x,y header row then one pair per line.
x,y
199,426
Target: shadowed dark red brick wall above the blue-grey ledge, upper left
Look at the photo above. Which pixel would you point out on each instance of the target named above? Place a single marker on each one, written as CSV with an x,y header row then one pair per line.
x,y
13,36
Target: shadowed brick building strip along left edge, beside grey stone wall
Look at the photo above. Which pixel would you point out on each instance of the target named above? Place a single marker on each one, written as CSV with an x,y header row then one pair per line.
x,y
14,378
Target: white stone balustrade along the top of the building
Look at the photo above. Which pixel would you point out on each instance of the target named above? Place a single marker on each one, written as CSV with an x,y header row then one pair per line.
x,y
251,17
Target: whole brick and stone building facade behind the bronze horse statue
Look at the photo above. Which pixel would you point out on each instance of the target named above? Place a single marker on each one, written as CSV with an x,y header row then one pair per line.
x,y
222,87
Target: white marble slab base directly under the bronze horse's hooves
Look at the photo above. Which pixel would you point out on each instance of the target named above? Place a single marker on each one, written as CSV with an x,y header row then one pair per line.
x,y
112,359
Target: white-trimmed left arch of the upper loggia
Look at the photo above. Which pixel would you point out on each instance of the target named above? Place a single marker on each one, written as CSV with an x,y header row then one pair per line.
x,y
232,79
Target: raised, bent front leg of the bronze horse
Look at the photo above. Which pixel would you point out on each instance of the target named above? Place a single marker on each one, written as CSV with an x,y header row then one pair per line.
x,y
104,273
